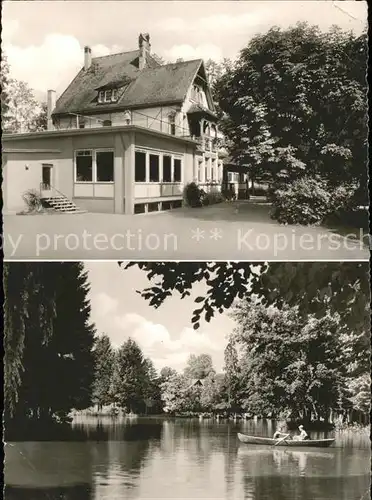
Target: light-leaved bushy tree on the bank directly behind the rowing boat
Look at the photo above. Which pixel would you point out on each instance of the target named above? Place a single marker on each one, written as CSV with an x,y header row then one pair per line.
x,y
289,362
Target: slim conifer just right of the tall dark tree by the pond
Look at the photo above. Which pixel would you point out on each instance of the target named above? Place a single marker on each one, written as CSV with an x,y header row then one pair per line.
x,y
104,360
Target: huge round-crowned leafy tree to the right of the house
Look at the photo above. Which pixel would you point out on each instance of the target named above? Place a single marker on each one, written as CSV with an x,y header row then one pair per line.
x,y
296,102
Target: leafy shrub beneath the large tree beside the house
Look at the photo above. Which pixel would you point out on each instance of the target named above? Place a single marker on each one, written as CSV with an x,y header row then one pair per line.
x,y
308,201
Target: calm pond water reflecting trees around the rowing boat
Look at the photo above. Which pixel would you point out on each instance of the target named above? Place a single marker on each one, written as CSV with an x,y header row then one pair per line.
x,y
159,458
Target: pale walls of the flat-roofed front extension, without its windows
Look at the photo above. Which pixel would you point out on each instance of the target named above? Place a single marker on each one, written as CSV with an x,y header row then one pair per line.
x,y
118,196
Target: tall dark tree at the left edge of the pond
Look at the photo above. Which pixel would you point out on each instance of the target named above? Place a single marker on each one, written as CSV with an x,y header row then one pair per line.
x,y
43,344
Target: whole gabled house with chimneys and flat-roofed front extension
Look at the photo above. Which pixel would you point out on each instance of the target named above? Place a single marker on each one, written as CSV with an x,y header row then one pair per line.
x,y
126,136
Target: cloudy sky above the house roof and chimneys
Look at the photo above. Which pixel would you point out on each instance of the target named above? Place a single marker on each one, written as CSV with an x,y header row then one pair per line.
x,y
44,40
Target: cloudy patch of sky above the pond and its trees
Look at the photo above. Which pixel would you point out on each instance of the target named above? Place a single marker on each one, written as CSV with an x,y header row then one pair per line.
x,y
164,334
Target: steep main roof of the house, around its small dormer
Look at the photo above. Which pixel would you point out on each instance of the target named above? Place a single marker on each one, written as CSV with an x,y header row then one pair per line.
x,y
154,85
